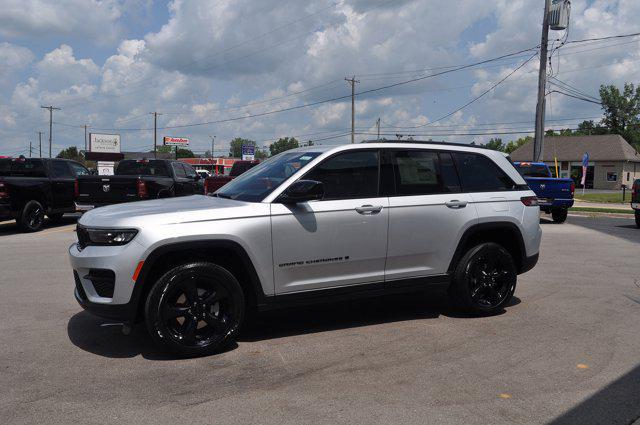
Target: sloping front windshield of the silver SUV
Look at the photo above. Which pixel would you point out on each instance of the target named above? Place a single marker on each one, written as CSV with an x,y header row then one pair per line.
x,y
261,180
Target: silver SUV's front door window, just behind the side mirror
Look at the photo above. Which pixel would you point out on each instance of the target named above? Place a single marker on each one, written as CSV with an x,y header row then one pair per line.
x,y
348,175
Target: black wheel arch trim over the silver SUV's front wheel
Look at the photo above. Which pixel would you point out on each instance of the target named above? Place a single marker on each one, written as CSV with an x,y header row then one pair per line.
x,y
225,253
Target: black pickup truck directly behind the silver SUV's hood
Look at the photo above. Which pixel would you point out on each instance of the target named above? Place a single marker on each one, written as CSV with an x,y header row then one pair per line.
x,y
138,179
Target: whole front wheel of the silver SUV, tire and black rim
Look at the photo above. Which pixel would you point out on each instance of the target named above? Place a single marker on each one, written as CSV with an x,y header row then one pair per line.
x,y
195,309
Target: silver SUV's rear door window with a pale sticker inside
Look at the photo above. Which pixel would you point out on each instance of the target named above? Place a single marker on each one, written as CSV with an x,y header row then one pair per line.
x,y
417,172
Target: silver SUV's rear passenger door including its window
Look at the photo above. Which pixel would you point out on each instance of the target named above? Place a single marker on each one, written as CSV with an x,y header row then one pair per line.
x,y
427,212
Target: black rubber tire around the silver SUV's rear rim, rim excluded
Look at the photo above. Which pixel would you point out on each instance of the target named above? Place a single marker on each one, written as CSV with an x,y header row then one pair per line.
x,y
460,284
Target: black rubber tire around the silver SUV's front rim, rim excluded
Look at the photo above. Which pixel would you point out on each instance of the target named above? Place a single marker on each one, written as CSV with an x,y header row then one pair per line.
x,y
156,327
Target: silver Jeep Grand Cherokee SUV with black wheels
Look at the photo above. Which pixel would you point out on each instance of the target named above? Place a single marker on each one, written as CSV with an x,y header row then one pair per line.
x,y
309,225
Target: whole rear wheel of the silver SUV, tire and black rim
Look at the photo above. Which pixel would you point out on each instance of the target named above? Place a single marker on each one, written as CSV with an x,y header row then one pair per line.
x,y
484,280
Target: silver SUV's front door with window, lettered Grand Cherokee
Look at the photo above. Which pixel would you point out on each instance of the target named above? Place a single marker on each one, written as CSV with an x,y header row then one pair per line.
x,y
340,240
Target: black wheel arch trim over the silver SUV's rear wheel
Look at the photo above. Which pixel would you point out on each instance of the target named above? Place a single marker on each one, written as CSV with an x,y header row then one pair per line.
x,y
506,234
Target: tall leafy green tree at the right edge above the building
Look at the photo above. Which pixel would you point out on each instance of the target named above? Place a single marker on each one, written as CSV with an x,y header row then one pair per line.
x,y
622,111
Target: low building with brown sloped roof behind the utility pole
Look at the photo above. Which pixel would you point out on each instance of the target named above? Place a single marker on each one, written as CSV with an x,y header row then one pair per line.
x,y
612,161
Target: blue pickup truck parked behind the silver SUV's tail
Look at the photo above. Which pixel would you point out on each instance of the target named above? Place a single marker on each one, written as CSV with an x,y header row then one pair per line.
x,y
555,196
